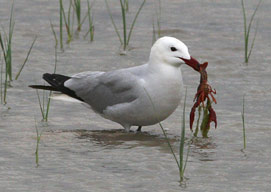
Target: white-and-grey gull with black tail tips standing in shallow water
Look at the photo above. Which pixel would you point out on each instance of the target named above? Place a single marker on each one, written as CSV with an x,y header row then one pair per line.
x,y
137,96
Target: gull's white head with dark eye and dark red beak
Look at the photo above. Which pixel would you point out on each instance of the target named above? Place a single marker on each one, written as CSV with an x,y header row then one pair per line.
x,y
171,51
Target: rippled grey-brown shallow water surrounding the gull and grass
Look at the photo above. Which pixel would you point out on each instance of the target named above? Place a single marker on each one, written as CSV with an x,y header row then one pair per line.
x,y
81,151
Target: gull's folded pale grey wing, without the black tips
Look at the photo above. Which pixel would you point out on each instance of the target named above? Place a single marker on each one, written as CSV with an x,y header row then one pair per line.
x,y
103,89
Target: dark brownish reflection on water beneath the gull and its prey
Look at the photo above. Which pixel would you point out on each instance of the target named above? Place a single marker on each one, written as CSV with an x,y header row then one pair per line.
x,y
202,149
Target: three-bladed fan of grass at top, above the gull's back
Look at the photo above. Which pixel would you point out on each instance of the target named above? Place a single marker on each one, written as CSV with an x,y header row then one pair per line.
x,y
125,38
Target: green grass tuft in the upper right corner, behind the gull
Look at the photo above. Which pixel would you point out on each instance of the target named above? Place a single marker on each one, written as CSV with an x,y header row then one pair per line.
x,y
247,29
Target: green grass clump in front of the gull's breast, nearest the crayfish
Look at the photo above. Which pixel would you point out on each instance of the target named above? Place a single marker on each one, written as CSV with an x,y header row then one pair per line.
x,y
181,163
